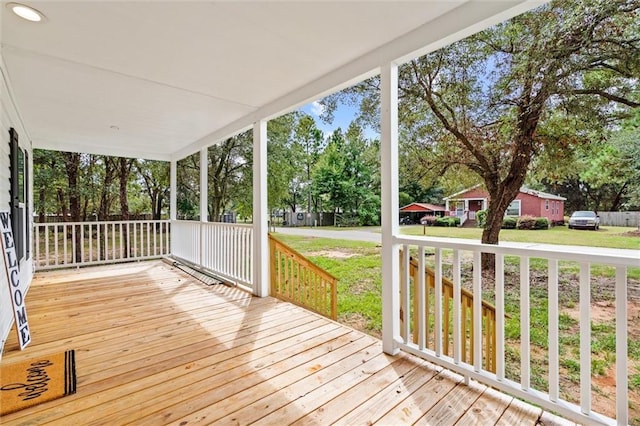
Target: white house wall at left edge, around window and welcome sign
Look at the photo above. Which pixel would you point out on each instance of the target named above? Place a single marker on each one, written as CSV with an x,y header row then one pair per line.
x,y
9,118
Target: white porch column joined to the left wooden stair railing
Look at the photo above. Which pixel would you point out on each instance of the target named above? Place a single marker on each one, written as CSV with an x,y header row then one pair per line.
x,y
260,229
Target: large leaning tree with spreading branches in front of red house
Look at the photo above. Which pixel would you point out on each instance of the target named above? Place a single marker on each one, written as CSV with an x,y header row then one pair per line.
x,y
484,102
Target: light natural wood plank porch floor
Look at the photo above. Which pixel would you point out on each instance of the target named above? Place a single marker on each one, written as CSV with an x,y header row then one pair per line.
x,y
155,346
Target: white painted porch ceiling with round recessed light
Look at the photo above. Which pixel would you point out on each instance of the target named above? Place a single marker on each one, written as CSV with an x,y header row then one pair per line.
x,y
161,80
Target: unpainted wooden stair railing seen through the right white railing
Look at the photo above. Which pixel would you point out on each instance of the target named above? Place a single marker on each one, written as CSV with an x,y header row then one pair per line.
x,y
467,318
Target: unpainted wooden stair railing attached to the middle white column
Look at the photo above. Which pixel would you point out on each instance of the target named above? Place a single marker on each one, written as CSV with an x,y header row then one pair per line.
x,y
296,279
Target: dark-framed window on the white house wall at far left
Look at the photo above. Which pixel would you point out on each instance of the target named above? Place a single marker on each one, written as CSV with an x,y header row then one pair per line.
x,y
19,195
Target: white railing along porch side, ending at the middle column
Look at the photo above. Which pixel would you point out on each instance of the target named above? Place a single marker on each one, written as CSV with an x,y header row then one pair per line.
x,y
225,249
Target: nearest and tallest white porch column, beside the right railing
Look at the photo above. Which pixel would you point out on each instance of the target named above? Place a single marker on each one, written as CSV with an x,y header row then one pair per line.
x,y
390,215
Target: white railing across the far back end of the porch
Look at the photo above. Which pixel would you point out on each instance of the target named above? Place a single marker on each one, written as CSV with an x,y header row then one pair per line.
x,y
67,244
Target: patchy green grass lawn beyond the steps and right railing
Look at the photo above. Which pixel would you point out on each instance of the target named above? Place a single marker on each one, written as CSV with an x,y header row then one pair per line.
x,y
358,267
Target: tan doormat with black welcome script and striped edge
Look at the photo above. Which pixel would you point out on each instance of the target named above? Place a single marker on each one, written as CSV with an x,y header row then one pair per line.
x,y
28,383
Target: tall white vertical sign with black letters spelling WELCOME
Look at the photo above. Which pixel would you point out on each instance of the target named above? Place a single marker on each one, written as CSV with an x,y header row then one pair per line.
x,y
16,290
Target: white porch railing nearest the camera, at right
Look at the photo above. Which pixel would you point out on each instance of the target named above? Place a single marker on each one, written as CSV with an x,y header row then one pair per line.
x,y
459,258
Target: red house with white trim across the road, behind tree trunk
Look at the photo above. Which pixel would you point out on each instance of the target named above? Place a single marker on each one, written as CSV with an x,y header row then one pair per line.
x,y
528,202
